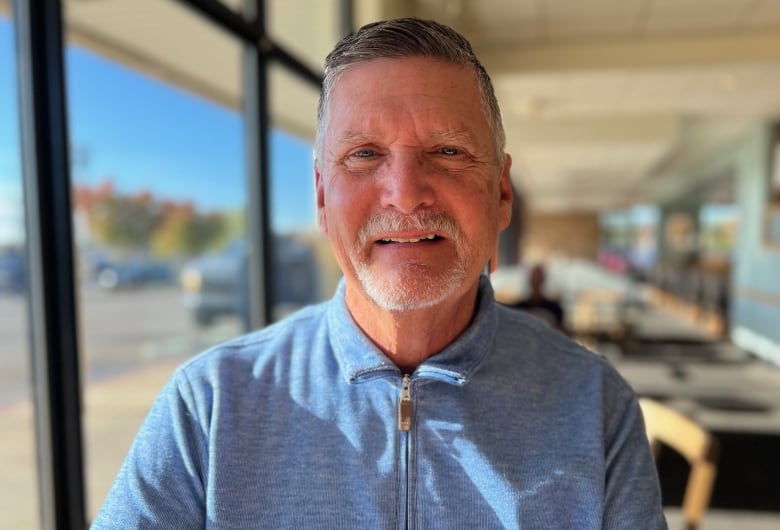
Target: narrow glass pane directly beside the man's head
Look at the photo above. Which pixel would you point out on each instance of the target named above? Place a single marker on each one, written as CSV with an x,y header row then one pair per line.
x,y
306,271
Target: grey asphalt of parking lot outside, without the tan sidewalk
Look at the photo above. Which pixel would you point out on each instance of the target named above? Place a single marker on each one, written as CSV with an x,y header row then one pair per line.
x,y
121,331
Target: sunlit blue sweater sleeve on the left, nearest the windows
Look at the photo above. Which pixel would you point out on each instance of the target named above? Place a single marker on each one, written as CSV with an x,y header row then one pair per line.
x,y
161,484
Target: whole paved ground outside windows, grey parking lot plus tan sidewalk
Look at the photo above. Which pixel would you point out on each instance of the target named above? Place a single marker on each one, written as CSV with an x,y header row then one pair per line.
x,y
130,341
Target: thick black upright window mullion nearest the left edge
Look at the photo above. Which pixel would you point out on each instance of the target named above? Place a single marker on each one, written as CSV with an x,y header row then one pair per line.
x,y
50,264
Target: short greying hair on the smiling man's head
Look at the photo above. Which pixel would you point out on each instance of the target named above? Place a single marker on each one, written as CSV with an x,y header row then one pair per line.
x,y
407,37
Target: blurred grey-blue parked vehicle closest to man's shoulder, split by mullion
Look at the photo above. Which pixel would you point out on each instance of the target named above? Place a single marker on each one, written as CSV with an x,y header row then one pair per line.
x,y
216,284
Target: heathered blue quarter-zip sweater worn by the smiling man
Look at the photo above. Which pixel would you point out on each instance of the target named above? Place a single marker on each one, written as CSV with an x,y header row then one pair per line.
x,y
306,424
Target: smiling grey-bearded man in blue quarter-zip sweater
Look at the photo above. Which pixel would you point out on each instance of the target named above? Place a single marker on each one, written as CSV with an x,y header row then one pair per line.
x,y
411,399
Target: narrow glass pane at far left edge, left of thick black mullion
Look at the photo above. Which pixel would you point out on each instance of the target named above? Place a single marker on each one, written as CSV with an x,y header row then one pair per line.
x,y
18,480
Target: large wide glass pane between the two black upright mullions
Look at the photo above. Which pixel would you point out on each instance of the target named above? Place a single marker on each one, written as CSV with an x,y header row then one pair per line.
x,y
159,201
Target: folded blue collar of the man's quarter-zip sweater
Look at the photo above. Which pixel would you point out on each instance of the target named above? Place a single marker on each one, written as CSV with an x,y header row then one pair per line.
x,y
359,358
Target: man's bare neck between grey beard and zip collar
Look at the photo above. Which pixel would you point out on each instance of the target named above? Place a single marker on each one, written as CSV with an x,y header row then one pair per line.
x,y
408,338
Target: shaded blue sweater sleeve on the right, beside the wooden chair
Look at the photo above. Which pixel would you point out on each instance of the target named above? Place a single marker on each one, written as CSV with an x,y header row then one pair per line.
x,y
632,492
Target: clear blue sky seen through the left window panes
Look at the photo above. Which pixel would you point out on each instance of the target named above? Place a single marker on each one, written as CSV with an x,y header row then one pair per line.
x,y
145,135
